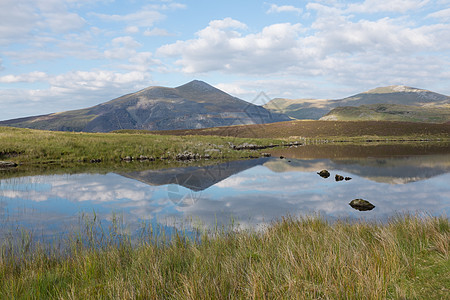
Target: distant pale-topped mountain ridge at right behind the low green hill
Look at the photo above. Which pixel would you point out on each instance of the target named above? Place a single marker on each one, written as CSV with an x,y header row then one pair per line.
x,y
393,95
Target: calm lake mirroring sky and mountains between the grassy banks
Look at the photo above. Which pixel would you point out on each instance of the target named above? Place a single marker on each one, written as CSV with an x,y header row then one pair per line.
x,y
248,193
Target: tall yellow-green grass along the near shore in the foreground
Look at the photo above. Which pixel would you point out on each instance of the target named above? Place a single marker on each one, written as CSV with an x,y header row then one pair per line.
x,y
407,258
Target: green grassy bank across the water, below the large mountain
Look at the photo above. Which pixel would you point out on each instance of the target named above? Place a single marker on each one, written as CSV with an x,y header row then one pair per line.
x,y
37,146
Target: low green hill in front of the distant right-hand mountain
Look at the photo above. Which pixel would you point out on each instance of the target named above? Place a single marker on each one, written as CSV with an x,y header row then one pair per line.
x,y
390,112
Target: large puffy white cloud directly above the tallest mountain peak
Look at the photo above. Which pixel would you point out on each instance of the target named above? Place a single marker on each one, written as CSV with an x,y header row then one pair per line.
x,y
220,47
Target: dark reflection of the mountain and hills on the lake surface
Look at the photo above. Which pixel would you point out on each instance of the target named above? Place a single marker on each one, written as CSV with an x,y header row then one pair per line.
x,y
394,170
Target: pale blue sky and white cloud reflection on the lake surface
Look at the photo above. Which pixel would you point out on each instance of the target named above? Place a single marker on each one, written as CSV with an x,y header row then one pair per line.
x,y
252,197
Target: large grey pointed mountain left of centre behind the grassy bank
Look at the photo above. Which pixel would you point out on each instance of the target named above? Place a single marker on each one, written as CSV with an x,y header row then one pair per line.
x,y
192,105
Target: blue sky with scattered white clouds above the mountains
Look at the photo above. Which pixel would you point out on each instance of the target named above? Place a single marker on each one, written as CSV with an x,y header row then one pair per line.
x,y
59,55
